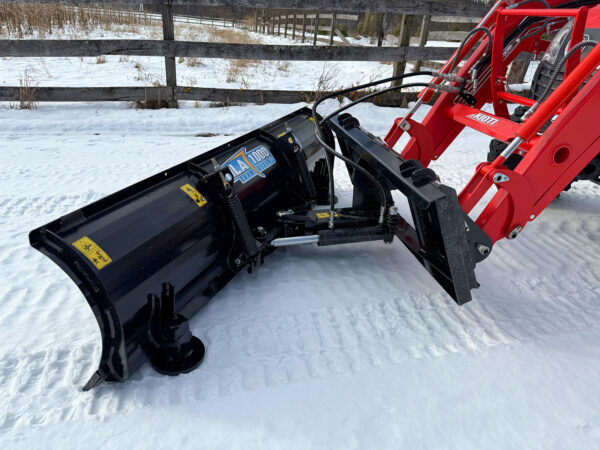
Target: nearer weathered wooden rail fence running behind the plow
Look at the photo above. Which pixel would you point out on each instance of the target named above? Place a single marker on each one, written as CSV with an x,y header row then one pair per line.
x,y
170,49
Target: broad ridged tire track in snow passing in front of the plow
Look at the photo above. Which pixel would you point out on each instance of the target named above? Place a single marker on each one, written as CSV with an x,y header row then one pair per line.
x,y
259,353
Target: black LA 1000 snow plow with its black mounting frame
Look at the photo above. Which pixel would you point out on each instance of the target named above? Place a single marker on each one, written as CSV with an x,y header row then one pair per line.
x,y
147,258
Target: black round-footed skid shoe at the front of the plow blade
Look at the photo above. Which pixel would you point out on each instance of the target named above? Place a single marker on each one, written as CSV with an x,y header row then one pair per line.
x,y
177,350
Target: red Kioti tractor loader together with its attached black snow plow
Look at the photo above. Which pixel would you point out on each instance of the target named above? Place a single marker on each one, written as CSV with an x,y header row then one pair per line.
x,y
147,258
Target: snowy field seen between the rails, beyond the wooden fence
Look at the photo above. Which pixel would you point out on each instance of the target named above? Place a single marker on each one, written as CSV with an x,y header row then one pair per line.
x,y
204,72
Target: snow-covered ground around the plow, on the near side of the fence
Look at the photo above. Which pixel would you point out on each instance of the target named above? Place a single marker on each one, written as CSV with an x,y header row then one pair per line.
x,y
345,347
